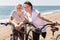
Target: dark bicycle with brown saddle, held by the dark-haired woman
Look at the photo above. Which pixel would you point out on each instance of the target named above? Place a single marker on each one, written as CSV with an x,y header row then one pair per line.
x,y
53,29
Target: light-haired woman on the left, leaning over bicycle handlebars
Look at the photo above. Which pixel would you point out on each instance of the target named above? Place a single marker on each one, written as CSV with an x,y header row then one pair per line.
x,y
17,18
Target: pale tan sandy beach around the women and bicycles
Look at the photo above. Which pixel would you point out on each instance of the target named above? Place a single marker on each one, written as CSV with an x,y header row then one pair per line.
x,y
5,31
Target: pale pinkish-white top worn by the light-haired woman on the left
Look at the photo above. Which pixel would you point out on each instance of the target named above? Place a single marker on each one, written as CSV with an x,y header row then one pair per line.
x,y
17,19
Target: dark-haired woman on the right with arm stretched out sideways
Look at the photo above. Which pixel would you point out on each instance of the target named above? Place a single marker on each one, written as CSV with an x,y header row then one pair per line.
x,y
36,18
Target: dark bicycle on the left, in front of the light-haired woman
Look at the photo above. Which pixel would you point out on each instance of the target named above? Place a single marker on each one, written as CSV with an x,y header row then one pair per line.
x,y
12,36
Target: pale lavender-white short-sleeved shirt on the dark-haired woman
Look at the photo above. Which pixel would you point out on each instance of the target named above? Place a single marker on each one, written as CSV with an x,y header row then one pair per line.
x,y
36,21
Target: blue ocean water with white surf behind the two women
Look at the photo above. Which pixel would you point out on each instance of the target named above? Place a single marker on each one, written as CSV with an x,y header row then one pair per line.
x,y
5,11
